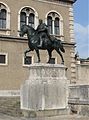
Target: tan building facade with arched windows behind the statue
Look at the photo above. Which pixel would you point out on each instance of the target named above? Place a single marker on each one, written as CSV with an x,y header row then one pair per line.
x,y
57,14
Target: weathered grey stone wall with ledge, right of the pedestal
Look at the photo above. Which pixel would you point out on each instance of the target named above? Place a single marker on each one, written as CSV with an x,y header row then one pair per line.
x,y
79,99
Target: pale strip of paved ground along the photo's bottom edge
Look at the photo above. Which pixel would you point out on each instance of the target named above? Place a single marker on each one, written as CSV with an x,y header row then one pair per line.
x,y
63,117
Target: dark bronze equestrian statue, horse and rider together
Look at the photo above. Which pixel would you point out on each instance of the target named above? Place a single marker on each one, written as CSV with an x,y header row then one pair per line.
x,y
41,39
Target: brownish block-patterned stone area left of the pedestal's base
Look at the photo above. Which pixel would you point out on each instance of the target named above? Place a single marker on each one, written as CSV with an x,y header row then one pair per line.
x,y
10,106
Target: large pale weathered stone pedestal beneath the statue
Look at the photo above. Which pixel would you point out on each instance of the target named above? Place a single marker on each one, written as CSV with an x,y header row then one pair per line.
x,y
45,89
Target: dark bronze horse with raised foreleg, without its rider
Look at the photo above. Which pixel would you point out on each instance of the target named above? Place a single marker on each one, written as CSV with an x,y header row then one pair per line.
x,y
33,41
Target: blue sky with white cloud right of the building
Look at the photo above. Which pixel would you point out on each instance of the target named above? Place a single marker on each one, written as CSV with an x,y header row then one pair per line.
x,y
81,27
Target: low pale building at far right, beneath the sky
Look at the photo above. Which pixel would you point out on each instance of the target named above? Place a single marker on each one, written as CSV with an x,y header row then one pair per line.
x,y
82,68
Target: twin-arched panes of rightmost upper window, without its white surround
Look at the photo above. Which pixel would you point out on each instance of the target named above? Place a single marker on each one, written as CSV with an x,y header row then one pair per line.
x,y
53,22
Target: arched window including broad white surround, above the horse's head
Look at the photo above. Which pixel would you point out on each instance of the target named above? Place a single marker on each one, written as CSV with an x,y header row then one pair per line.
x,y
29,16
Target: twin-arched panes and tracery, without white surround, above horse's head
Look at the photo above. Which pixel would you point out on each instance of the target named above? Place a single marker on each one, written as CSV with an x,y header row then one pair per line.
x,y
27,16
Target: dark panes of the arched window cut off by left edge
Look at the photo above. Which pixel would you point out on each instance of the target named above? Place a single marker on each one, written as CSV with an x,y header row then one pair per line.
x,y
2,18
